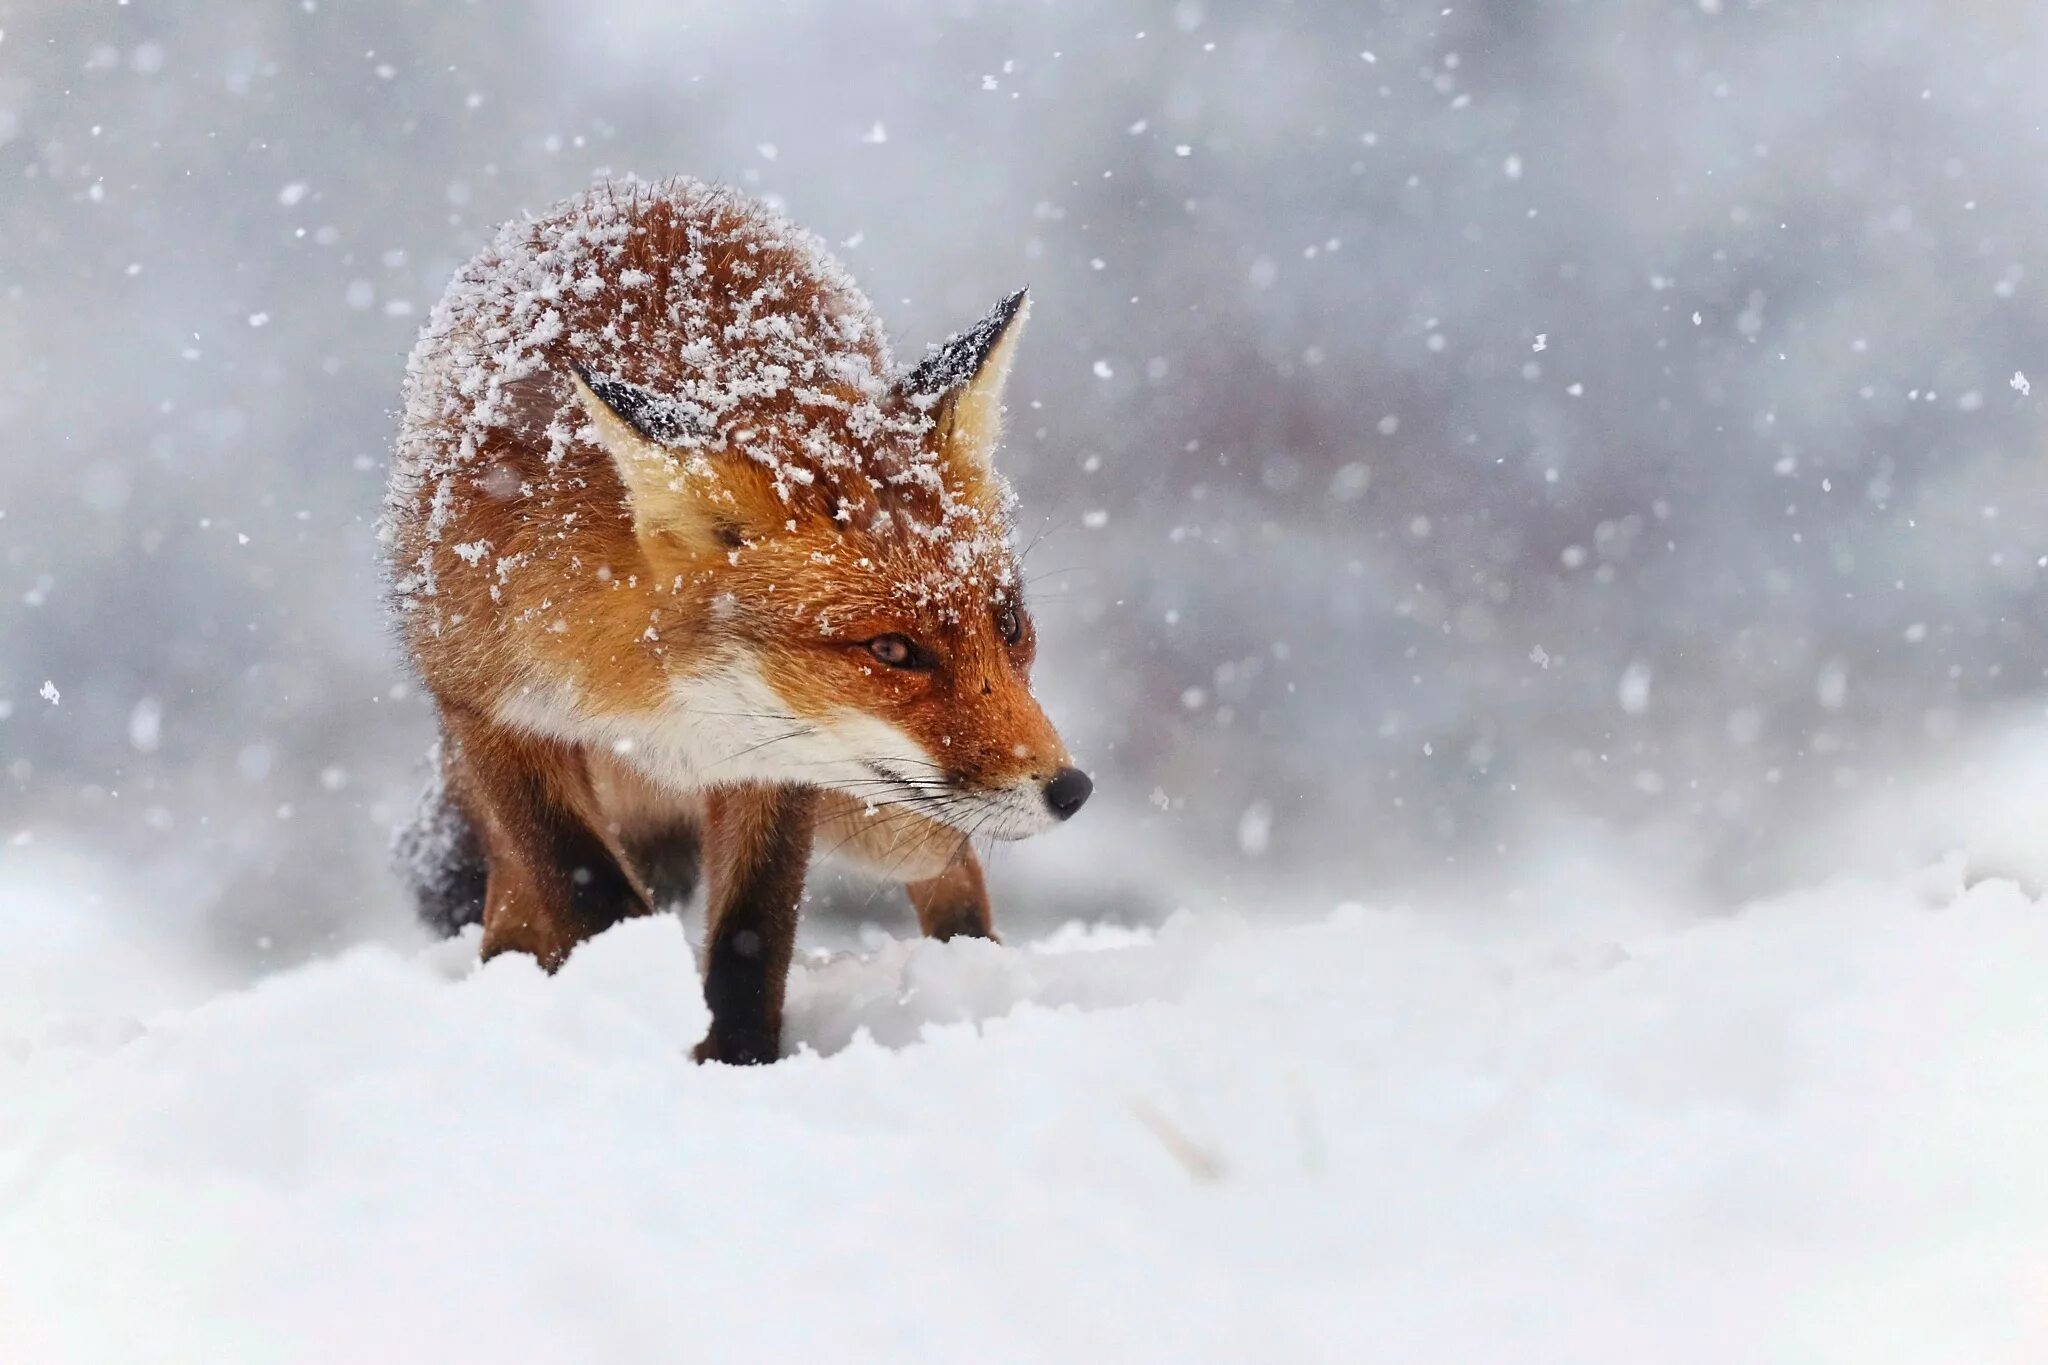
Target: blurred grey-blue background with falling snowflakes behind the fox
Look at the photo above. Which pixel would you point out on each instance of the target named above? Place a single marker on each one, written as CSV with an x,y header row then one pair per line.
x,y
1463,435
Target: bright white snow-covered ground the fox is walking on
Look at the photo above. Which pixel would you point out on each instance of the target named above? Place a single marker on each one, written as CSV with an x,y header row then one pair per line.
x,y
1807,1133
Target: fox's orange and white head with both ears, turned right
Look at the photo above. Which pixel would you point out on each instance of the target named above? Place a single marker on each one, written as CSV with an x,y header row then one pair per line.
x,y
847,582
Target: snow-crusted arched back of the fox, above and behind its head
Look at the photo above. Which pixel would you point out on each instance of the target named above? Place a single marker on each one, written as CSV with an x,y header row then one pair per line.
x,y
798,331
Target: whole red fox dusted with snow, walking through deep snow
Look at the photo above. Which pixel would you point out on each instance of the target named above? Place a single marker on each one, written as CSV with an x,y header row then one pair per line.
x,y
699,580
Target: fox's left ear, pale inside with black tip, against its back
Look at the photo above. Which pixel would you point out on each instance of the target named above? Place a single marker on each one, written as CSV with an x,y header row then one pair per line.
x,y
677,490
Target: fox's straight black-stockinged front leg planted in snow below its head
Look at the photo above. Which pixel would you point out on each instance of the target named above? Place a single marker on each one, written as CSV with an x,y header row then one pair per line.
x,y
757,848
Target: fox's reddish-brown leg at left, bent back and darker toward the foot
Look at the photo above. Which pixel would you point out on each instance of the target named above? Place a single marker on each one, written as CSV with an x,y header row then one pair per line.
x,y
554,881
